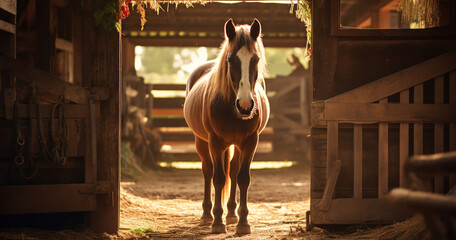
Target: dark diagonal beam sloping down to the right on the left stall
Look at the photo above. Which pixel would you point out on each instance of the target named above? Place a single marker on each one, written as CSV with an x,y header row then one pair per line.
x,y
44,81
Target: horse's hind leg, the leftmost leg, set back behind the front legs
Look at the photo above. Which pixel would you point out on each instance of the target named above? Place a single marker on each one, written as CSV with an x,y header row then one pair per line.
x,y
203,151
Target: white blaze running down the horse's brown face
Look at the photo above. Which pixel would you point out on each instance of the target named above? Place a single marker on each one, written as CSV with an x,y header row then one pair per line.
x,y
244,94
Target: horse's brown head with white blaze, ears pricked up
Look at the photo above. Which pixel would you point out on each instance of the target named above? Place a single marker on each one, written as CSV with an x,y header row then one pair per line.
x,y
245,59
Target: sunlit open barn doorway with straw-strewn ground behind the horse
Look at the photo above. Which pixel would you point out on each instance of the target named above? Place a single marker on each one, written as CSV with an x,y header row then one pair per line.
x,y
167,197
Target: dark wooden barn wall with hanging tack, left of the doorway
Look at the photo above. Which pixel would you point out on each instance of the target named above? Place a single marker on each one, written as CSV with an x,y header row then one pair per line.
x,y
75,63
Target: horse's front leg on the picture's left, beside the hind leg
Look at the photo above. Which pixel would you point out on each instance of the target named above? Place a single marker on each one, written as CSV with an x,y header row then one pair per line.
x,y
217,150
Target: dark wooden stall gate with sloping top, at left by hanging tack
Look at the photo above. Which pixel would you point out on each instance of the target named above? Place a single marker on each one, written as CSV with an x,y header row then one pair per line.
x,y
34,122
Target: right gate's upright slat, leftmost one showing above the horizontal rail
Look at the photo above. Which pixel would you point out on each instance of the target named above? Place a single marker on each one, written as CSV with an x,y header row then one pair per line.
x,y
383,156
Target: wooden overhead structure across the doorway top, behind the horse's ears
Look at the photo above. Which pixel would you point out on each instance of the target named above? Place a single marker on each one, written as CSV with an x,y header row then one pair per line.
x,y
203,25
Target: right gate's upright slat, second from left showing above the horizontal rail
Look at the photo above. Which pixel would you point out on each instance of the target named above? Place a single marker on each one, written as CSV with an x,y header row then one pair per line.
x,y
403,140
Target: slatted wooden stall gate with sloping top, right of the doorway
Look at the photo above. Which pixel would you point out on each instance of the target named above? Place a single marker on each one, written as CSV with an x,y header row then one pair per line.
x,y
411,112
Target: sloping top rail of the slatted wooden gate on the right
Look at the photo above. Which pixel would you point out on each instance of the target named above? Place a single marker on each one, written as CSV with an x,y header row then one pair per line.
x,y
400,81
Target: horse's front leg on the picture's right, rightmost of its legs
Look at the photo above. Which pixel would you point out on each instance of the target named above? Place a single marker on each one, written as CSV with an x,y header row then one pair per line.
x,y
247,151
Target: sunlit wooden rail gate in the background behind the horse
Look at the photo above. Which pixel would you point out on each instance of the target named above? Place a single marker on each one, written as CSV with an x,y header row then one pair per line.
x,y
289,118
